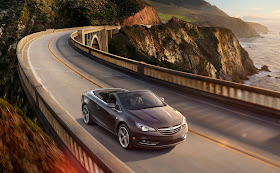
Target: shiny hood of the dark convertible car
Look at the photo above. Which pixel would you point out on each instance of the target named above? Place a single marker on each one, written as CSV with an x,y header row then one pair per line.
x,y
158,116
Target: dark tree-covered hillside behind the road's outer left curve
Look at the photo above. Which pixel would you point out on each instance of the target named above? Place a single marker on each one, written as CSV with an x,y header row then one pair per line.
x,y
19,18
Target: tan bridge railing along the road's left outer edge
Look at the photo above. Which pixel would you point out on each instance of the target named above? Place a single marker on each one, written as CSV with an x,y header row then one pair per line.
x,y
87,150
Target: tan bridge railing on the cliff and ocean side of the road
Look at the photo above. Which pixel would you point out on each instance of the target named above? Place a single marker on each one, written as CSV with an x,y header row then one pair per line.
x,y
216,87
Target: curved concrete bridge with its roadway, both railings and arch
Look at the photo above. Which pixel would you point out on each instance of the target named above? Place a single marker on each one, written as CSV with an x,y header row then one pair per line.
x,y
233,127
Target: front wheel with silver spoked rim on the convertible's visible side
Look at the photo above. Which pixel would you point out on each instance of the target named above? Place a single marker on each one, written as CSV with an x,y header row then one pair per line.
x,y
125,142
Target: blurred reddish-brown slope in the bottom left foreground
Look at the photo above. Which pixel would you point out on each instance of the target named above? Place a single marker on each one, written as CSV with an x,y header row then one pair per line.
x,y
24,147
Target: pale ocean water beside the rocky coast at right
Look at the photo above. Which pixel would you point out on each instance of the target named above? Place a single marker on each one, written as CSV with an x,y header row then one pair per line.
x,y
265,51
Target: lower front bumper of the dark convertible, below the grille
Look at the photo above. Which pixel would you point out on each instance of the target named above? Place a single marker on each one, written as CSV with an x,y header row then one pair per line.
x,y
158,140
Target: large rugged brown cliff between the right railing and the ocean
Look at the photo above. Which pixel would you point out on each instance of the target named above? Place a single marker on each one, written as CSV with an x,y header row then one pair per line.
x,y
208,51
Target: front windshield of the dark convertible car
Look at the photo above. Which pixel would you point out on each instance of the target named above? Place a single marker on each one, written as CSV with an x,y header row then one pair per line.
x,y
139,100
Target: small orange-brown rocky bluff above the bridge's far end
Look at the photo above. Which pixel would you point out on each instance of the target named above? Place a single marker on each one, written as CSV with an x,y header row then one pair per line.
x,y
147,16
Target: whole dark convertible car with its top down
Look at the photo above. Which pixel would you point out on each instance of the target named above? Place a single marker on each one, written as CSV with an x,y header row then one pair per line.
x,y
138,118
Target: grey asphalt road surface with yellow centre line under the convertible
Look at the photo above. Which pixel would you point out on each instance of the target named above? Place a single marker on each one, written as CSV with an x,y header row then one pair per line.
x,y
214,120
